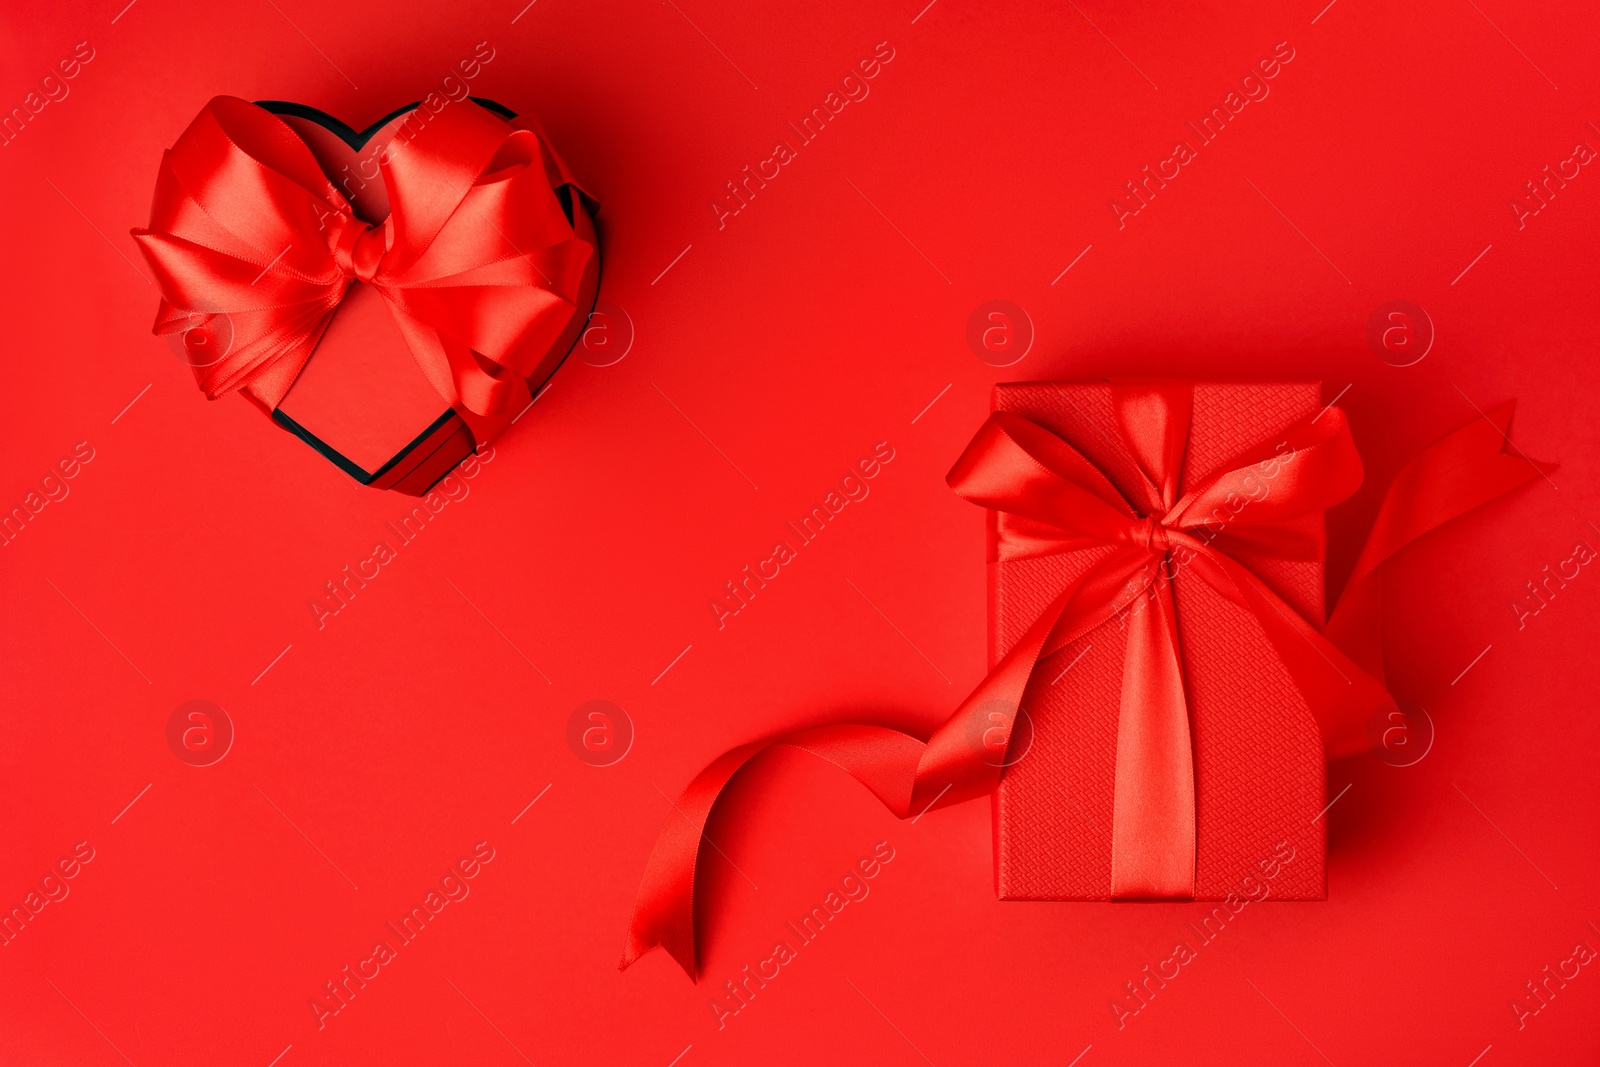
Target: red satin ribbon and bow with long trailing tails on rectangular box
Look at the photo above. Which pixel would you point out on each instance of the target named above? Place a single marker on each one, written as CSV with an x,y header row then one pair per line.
x,y
1266,503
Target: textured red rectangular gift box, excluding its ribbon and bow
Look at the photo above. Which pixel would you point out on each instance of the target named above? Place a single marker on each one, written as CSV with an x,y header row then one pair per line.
x,y
1260,769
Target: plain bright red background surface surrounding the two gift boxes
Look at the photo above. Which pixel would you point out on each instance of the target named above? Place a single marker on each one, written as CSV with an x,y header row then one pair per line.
x,y
823,319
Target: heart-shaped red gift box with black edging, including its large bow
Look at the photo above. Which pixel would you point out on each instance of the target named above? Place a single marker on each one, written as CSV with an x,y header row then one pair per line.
x,y
391,297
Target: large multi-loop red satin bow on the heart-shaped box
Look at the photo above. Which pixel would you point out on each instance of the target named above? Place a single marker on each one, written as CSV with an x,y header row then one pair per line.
x,y
478,260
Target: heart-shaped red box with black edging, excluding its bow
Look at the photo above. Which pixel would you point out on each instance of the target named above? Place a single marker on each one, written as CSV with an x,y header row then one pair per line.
x,y
362,401
